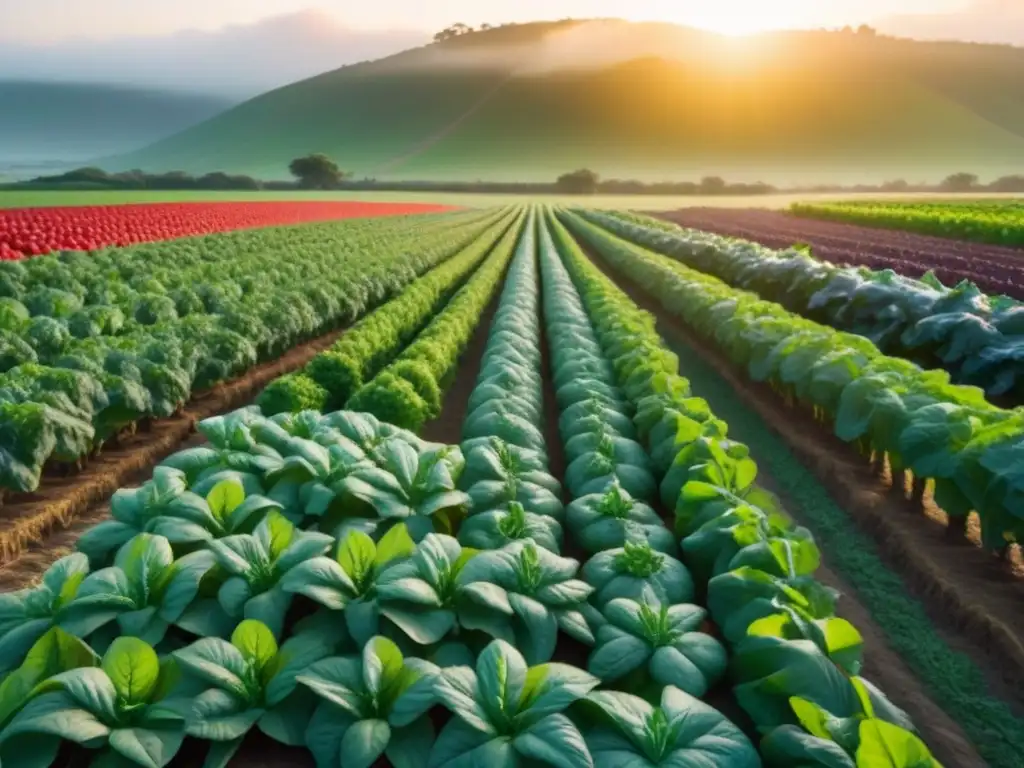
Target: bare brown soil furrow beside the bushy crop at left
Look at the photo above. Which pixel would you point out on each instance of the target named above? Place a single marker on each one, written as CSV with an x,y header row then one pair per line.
x,y
38,528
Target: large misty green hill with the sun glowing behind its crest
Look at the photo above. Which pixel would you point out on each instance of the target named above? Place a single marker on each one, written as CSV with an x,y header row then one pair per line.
x,y
649,102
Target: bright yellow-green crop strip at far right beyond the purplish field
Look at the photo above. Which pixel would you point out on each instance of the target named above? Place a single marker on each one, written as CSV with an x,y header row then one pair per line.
x,y
1000,224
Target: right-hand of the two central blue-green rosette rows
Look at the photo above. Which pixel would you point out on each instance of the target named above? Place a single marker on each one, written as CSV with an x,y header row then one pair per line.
x,y
648,642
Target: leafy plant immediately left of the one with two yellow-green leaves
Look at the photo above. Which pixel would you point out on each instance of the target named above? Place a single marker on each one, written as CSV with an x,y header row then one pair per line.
x,y
257,565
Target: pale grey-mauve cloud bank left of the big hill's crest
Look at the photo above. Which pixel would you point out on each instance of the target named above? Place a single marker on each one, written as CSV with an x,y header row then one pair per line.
x,y
237,62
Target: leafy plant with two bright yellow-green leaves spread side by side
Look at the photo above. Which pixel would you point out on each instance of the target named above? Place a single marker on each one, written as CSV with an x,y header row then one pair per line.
x,y
348,582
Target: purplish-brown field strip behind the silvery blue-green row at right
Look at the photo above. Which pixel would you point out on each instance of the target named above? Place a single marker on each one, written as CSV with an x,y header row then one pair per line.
x,y
996,269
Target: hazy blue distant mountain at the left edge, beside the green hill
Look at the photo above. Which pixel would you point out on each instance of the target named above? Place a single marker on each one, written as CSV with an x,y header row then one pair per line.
x,y
48,126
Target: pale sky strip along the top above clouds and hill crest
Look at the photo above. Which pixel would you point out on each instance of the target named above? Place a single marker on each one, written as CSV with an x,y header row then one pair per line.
x,y
54,21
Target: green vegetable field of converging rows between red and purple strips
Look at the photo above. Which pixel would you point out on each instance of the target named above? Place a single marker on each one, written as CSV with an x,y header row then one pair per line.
x,y
503,482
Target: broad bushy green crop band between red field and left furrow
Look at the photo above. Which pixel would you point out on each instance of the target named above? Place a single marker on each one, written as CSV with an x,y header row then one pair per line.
x,y
100,386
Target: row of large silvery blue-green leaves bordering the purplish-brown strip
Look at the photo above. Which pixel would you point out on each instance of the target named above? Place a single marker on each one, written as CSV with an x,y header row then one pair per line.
x,y
977,338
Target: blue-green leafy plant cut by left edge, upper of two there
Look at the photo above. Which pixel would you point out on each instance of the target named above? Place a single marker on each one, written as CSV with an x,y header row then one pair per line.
x,y
28,614
